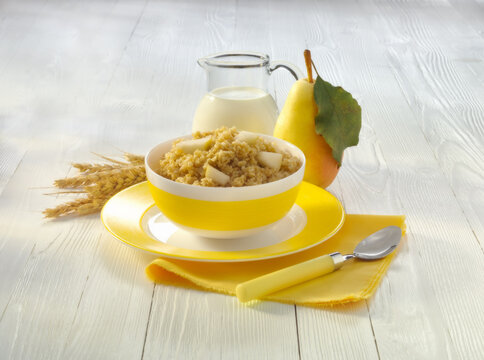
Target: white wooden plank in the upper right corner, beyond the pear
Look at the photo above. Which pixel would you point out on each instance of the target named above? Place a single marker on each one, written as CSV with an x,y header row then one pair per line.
x,y
453,123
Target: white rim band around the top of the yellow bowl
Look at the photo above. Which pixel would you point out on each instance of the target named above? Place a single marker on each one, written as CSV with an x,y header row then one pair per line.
x,y
220,193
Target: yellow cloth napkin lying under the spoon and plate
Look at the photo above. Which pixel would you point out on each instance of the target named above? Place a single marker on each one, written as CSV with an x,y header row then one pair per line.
x,y
353,282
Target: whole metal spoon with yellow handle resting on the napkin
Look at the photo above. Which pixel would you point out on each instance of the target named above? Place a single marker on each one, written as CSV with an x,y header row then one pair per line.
x,y
374,247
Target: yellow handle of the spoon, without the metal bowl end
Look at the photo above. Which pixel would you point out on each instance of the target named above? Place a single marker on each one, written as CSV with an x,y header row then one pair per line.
x,y
287,277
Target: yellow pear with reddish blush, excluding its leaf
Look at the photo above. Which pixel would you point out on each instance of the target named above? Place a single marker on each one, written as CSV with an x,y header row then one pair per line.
x,y
296,125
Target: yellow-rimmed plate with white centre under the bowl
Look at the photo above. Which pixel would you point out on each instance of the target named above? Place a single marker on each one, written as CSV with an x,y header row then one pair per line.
x,y
131,217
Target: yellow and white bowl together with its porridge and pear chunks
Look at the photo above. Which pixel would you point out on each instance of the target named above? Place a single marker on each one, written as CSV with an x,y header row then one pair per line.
x,y
224,183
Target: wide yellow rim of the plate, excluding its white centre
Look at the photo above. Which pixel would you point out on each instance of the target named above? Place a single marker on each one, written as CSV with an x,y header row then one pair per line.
x,y
123,217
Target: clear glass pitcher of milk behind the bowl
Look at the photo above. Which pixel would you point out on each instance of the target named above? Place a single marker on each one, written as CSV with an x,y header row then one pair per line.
x,y
237,92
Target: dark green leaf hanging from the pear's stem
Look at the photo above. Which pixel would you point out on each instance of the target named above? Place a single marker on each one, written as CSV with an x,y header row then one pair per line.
x,y
339,117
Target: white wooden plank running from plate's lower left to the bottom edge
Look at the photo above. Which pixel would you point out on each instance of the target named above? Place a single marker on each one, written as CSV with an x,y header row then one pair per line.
x,y
111,316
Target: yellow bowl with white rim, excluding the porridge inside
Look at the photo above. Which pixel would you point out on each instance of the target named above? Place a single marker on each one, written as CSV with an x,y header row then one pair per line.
x,y
223,212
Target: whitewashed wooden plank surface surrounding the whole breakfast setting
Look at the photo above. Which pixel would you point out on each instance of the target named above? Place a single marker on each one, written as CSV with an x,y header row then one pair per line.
x,y
82,76
